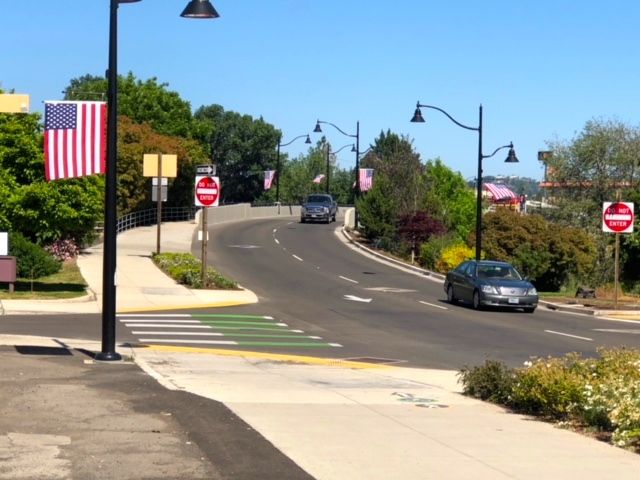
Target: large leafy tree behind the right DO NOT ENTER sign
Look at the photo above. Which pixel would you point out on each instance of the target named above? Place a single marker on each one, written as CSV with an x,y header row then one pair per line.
x,y
600,163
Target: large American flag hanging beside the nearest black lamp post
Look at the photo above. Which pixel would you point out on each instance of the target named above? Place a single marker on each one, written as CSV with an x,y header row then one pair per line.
x,y
74,139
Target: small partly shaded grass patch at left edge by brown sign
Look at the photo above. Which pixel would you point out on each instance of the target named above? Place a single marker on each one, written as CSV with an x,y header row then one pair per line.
x,y
67,283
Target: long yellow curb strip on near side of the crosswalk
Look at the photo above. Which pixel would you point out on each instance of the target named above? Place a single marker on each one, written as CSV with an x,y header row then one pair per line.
x,y
328,362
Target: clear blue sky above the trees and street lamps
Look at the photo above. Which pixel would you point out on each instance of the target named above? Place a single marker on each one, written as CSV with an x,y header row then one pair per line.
x,y
541,69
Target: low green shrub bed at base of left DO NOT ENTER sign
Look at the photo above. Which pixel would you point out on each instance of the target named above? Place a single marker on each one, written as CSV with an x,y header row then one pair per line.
x,y
186,269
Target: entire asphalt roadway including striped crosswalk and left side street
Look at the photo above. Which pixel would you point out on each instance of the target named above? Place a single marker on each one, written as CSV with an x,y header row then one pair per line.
x,y
318,297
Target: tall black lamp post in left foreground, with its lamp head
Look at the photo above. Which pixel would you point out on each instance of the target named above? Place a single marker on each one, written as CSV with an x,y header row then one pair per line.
x,y
194,9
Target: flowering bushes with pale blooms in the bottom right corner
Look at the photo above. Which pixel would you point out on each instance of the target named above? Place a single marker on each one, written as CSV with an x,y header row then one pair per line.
x,y
596,396
